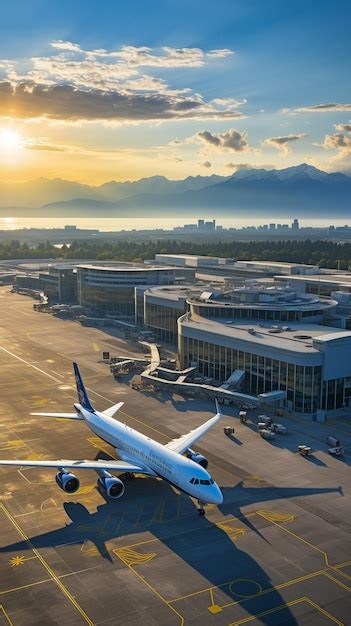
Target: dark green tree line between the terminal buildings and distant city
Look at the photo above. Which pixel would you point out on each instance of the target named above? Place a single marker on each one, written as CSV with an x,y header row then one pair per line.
x,y
322,253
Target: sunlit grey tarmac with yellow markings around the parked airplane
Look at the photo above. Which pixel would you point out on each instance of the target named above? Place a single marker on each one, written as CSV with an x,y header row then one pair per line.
x,y
277,551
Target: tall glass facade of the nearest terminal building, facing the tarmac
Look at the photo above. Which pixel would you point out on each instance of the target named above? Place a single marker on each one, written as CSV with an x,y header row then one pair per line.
x,y
303,384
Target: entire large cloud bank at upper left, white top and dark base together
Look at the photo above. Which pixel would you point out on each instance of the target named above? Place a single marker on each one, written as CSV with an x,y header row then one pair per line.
x,y
76,85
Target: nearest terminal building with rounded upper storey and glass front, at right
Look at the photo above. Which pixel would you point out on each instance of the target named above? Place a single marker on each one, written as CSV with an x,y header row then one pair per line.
x,y
277,337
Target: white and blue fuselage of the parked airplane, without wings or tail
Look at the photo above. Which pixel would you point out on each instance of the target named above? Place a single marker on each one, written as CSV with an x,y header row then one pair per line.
x,y
160,461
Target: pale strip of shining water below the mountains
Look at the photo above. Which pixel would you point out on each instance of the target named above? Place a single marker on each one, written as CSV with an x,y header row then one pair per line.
x,y
125,223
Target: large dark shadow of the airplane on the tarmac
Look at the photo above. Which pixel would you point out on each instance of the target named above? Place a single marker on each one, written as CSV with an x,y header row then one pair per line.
x,y
203,546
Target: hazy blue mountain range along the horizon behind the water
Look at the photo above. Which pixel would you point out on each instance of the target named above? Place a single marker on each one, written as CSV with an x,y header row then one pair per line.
x,y
256,191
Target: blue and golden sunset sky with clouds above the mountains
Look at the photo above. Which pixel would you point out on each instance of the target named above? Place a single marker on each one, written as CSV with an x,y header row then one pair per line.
x,y
258,96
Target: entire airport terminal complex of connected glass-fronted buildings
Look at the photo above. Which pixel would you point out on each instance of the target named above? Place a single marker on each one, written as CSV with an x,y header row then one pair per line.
x,y
276,336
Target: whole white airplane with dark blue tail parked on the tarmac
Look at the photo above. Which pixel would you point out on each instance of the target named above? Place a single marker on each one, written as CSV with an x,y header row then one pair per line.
x,y
175,462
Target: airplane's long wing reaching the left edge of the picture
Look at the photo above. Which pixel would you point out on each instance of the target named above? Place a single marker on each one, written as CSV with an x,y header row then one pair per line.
x,y
118,466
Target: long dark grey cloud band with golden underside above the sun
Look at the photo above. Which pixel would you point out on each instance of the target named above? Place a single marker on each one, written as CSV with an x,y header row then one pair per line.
x,y
27,100
